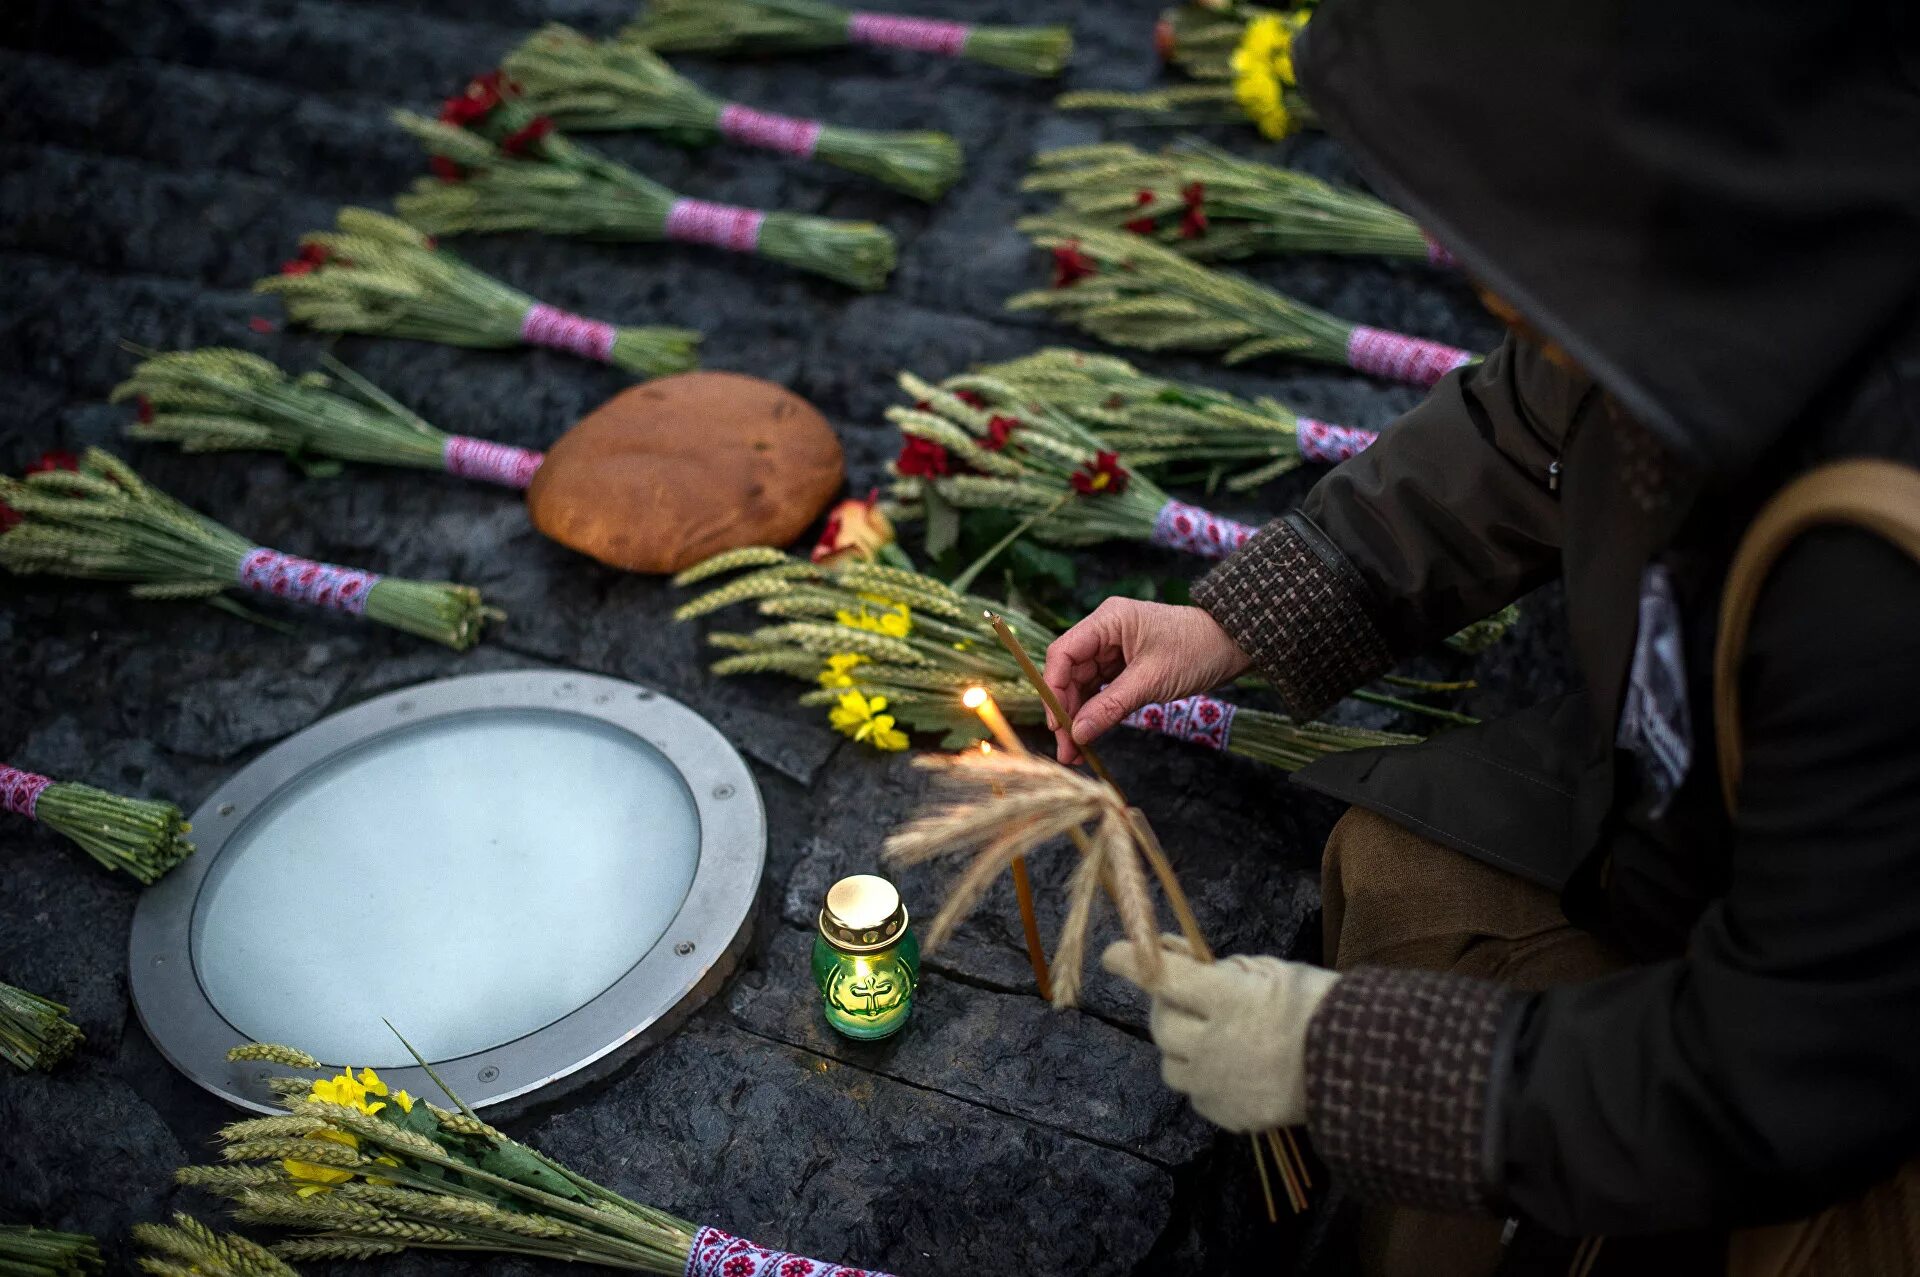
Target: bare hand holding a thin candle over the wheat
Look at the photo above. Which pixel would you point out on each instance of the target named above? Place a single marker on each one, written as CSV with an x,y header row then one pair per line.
x,y
1140,654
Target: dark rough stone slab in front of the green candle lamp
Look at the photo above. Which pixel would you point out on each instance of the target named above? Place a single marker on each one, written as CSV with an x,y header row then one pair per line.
x,y
800,1151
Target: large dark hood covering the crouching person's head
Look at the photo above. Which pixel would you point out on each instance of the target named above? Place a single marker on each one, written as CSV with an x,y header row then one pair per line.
x,y
1716,208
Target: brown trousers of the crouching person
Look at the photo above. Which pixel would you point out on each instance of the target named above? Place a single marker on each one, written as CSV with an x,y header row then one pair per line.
x,y
1393,898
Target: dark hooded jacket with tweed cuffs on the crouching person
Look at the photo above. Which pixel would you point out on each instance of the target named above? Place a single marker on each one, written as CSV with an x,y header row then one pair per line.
x,y
1719,212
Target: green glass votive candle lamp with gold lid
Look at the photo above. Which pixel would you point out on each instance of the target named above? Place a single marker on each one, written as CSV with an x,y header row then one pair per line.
x,y
867,959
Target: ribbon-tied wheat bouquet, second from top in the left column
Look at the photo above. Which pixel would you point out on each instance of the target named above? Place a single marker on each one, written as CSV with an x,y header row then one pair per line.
x,y
590,85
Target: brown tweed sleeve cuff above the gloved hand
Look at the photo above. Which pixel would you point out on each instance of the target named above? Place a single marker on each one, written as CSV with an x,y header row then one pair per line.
x,y
1399,1084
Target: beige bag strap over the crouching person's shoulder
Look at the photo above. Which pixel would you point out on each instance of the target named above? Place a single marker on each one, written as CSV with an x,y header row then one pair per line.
x,y
1879,496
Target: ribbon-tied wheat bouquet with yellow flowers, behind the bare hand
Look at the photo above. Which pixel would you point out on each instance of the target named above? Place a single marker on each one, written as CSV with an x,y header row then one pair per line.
x,y
888,646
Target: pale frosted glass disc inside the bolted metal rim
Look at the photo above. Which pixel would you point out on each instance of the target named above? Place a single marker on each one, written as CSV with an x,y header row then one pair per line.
x,y
471,880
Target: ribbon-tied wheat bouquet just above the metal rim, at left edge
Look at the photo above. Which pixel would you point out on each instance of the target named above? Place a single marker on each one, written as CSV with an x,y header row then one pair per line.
x,y
105,523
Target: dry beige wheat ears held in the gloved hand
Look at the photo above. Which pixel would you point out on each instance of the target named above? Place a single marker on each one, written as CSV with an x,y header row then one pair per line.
x,y
997,807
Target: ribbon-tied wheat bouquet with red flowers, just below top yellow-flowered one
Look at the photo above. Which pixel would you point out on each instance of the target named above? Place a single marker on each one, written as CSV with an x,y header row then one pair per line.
x,y
1211,205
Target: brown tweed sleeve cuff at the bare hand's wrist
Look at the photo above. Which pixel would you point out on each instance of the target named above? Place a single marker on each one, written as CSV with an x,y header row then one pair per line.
x,y
1299,610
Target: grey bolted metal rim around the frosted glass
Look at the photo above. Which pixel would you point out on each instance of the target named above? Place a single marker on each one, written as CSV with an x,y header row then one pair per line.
x,y
683,971
